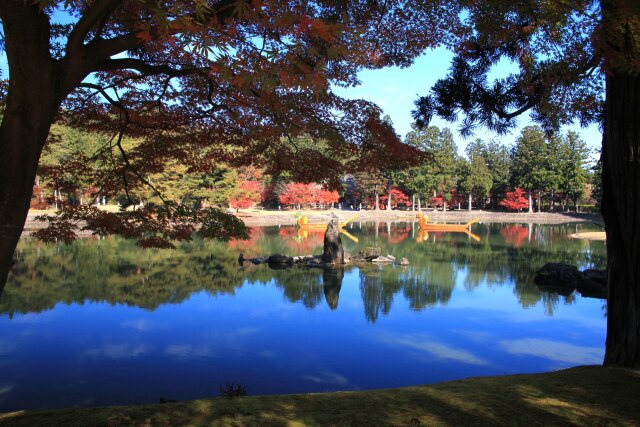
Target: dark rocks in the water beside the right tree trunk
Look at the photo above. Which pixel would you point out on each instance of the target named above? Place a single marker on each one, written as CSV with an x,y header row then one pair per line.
x,y
564,279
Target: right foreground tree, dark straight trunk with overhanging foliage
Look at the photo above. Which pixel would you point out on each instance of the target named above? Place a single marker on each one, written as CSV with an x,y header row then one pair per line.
x,y
575,60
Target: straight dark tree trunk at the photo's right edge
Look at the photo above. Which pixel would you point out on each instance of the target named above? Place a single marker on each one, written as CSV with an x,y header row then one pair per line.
x,y
621,212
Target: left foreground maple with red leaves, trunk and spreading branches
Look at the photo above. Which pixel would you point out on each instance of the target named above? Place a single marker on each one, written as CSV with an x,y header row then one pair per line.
x,y
198,81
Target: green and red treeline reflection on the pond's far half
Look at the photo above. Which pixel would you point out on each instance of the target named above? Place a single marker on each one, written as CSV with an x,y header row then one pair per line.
x,y
117,272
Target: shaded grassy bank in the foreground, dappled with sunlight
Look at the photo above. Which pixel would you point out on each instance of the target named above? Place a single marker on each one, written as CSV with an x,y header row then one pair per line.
x,y
587,395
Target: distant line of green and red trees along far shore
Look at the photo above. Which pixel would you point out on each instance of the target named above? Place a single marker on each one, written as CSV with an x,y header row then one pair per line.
x,y
548,173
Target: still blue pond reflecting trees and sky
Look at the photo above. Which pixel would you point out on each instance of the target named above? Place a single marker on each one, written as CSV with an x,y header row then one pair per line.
x,y
102,322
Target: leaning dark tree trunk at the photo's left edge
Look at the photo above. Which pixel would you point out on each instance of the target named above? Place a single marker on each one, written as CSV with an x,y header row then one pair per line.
x,y
30,107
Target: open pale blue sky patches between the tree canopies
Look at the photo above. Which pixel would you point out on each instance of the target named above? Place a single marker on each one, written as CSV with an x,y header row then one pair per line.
x,y
395,89
